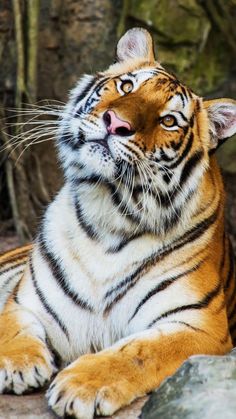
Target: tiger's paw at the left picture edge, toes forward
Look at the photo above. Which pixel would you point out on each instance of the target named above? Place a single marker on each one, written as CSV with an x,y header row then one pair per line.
x,y
26,371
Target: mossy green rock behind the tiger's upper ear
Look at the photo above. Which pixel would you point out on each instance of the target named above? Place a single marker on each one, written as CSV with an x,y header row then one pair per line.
x,y
185,41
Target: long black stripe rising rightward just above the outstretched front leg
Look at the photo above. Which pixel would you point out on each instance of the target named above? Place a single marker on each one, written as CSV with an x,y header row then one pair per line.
x,y
195,306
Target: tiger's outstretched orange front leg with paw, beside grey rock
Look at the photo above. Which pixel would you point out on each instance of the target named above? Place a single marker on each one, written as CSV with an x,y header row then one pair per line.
x,y
104,382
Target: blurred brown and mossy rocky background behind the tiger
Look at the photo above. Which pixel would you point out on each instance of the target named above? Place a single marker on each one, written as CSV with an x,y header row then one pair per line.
x,y
45,46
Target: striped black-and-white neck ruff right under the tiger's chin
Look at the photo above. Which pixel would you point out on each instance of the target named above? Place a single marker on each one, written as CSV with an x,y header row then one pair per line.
x,y
109,214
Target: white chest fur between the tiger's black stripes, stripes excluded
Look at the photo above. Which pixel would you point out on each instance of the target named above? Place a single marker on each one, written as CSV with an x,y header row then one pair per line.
x,y
91,272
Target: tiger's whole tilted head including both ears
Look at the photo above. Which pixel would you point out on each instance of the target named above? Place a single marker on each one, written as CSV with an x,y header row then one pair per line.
x,y
136,124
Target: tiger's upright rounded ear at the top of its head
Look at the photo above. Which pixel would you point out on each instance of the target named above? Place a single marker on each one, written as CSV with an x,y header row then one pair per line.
x,y
135,43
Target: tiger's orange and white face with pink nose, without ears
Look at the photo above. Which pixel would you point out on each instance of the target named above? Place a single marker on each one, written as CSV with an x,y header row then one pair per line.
x,y
126,118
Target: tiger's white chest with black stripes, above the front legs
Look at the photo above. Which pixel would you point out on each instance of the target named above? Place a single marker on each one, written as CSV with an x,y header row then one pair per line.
x,y
88,298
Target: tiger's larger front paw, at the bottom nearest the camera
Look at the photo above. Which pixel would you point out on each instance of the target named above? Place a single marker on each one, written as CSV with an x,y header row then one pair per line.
x,y
92,385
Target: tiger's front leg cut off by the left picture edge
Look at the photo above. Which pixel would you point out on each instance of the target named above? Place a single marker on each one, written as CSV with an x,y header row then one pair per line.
x,y
25,361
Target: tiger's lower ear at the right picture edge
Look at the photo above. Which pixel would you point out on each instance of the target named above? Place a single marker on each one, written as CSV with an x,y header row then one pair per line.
x,y
222,117
